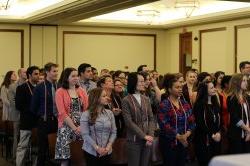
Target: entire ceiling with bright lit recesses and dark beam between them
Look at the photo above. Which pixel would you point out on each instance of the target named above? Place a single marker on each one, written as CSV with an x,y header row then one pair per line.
x,y
122,13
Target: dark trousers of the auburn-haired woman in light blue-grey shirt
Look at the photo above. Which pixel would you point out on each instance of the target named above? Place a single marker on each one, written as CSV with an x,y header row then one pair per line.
x,y
96,161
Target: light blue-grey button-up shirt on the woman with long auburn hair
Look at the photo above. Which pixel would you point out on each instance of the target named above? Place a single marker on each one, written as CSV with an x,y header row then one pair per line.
x,y
101,133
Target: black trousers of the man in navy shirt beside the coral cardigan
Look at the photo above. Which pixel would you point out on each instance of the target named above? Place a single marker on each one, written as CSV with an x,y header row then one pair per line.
x,y
43,129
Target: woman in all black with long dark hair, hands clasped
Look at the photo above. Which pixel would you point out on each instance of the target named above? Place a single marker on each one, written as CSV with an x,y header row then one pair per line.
x,y
207,135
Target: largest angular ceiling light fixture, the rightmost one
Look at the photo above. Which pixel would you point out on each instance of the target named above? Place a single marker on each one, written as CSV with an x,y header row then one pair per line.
x,y
188,5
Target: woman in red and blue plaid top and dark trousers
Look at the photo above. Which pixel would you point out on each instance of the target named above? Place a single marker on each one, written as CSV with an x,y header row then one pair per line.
x,y
176,123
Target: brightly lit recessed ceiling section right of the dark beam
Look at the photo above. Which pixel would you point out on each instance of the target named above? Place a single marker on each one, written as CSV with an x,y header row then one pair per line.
x,y
169,15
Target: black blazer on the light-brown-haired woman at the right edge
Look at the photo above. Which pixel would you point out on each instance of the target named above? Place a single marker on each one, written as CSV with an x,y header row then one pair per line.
x,y
236,114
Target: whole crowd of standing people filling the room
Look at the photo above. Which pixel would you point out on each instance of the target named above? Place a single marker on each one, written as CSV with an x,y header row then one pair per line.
x,y
125,117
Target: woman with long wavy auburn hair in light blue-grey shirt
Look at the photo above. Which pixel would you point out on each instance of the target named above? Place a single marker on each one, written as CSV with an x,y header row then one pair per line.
x,y
98,129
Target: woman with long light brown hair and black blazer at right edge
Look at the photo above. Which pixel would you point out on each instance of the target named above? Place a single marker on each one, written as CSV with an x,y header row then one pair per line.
x,y
238,108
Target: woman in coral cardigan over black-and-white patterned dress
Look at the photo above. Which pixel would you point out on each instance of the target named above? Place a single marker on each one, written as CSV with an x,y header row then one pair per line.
x,y
71,101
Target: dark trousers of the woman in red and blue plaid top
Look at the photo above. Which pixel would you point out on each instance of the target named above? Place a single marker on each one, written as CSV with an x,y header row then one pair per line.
x,y
172,155
